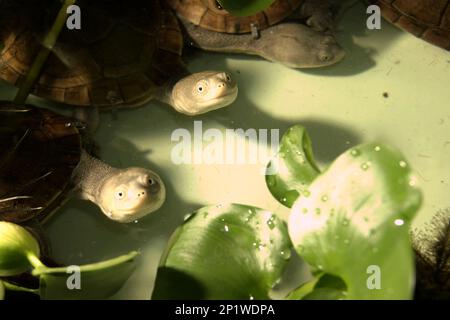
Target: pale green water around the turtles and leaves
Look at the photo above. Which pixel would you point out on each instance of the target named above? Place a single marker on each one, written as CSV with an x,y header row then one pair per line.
x,y
391,87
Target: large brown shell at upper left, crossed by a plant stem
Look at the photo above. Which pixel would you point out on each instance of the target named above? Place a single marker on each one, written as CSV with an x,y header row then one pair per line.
x,y
124,52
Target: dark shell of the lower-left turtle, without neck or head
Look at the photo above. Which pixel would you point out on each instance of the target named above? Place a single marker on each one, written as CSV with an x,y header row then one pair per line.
x,y
40,150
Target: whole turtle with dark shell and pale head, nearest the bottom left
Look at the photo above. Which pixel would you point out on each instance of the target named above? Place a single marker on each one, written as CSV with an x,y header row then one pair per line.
x,y
42,163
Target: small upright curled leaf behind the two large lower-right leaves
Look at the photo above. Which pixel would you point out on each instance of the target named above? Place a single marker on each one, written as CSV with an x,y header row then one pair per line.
x,y
293,168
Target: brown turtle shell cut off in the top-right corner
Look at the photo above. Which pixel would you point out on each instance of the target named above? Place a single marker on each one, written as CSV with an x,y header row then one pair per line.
x,y
426,19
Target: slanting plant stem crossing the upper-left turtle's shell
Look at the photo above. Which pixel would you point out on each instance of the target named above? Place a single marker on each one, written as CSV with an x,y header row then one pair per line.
x,y
47,46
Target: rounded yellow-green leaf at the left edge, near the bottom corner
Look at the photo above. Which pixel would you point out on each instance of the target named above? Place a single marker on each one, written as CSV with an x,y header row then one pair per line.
x,y
19,251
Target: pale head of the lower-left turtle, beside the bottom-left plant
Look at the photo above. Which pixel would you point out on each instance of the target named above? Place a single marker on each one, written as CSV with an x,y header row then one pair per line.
x,y
129,194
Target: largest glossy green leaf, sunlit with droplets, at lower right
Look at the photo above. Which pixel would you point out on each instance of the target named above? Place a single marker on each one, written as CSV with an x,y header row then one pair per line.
x,y
354,224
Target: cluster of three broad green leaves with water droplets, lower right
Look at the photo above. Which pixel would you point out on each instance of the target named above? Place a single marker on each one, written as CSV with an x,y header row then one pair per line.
x,y
349,222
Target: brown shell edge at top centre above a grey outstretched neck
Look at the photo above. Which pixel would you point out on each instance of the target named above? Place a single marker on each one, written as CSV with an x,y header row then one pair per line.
x,y
210,15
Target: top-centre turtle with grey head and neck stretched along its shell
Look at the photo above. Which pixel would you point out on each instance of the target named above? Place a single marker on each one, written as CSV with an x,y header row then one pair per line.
x,y
295,33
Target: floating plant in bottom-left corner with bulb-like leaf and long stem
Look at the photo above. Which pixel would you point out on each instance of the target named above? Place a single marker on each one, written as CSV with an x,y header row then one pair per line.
x,y
19,253
